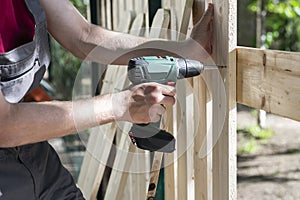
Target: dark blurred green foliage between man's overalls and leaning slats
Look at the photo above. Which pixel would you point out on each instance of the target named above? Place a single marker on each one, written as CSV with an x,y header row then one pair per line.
x,y
64,65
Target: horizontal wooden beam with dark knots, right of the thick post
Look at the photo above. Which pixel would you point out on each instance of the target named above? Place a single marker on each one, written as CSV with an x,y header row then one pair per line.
x,y
269,80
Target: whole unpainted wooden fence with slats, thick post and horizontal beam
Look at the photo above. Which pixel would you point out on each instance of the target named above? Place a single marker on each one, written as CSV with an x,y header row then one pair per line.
x,y
204,119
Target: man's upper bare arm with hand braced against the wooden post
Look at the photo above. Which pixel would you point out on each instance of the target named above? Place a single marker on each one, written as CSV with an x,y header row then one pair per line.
x,y
80,37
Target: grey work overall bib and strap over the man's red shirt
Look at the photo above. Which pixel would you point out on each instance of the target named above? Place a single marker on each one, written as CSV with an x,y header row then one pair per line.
x,y
22,68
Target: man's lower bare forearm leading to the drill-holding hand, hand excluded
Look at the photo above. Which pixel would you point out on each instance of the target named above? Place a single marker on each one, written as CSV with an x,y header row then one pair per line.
x,y
34,122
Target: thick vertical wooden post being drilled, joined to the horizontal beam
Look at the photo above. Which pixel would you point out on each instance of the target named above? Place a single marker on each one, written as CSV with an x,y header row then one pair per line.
x,y
224,151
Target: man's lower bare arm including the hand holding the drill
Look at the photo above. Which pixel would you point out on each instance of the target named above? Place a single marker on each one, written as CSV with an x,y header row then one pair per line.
x,y
24,123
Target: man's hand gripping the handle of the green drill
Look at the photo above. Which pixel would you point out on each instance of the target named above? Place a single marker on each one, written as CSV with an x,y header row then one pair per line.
x,y
143,103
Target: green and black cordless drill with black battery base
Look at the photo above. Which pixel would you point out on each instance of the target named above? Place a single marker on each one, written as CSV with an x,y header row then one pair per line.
x,y
164,70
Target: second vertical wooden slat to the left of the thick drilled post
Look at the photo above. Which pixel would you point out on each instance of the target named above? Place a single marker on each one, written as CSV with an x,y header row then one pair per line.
x,y
185,112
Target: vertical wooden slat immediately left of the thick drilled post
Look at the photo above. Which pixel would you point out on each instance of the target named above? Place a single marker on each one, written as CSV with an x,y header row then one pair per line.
x,y
201,162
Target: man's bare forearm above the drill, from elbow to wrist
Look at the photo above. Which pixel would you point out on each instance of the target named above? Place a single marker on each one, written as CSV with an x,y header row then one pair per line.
x,y
118,48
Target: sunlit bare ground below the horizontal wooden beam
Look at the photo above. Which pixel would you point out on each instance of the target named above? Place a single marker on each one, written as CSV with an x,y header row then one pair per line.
x,y
273,171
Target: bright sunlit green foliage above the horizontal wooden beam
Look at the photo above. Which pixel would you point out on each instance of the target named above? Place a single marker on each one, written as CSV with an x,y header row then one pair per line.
x,y
282,23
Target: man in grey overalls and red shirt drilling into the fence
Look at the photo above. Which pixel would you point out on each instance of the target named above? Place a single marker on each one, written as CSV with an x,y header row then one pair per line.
x,y
29,167
